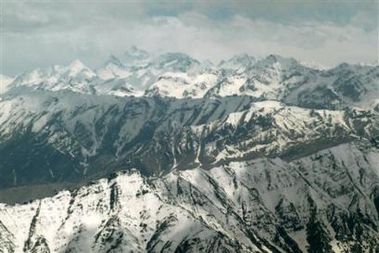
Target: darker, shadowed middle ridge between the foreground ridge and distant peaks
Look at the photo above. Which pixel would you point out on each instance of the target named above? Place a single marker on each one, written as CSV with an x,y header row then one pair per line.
x,y
68,136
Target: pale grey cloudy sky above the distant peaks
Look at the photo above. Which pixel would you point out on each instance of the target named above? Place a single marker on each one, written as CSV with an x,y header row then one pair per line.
x,y
42,33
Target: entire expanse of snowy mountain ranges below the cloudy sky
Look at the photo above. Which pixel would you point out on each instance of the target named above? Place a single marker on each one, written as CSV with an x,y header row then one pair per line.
x,y
169,154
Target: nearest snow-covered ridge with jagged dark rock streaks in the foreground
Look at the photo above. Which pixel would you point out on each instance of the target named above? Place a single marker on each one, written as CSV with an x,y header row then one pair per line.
x,y
261,205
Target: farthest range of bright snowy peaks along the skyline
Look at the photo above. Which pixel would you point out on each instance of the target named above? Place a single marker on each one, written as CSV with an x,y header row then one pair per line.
x,y
180,76
